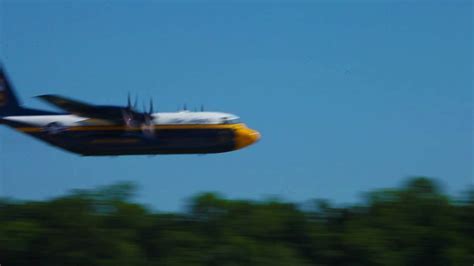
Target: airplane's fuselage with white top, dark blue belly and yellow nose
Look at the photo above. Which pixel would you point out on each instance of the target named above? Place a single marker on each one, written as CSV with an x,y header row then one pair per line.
x,y
169,133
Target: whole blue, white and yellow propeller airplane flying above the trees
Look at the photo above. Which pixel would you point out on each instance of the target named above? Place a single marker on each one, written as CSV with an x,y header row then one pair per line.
x,y
98,130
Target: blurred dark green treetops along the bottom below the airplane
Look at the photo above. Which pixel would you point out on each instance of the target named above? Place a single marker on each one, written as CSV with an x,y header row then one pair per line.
x,y
413,225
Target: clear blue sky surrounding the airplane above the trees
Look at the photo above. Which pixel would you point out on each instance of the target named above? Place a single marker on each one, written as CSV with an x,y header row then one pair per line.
x,y
348,97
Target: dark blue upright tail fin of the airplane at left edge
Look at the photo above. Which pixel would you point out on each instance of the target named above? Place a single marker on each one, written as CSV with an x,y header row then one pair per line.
x,y
9,104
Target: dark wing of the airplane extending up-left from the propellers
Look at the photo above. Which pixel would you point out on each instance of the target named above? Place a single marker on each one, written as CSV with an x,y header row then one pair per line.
x,y
111,113
